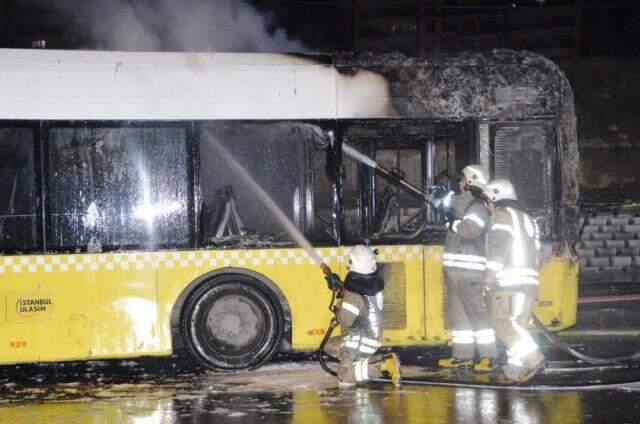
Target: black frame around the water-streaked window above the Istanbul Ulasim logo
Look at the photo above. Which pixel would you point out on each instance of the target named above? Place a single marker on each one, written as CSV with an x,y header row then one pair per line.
x,y
46,126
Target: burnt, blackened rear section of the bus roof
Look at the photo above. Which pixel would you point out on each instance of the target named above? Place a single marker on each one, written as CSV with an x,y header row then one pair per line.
x,y
496,85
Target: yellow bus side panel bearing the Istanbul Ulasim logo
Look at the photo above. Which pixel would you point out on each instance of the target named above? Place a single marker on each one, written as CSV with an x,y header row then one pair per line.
x,y
64,307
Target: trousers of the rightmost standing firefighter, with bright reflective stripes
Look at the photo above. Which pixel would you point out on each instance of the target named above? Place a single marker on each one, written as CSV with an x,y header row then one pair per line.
x,y
510,316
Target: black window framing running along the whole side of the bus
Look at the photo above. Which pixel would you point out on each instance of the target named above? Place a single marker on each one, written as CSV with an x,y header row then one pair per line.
x,y
193,129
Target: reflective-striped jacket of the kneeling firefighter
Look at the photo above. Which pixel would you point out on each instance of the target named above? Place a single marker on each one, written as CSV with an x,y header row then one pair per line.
x,y
360,318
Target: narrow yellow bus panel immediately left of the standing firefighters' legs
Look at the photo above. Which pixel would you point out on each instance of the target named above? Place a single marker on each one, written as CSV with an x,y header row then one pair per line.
x,y
435,296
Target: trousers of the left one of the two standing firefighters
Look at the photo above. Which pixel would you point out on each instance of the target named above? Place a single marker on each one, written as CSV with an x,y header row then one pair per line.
x,y
468,316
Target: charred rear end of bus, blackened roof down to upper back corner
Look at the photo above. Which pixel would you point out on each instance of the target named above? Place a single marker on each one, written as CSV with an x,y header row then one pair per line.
x,y
510,111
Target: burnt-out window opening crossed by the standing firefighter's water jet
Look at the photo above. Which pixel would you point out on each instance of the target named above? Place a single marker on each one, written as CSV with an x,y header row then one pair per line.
x,y
379,210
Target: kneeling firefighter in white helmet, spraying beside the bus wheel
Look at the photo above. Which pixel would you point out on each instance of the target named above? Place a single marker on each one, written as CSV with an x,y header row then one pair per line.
x,y
359,314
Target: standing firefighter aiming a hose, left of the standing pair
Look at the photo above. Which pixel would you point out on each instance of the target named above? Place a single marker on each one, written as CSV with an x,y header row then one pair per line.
x,y
464,264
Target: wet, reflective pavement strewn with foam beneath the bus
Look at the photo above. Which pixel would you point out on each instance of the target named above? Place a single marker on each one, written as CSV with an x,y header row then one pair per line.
x,y
292,390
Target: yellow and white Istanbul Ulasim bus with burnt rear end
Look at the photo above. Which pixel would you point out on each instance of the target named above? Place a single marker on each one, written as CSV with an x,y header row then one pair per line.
x,y
124,235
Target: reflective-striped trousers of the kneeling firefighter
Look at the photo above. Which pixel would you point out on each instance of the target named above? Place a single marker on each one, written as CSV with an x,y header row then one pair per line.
x,y
355,367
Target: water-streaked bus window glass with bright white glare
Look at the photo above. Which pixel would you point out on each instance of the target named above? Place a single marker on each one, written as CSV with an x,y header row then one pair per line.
x,y
111,188
